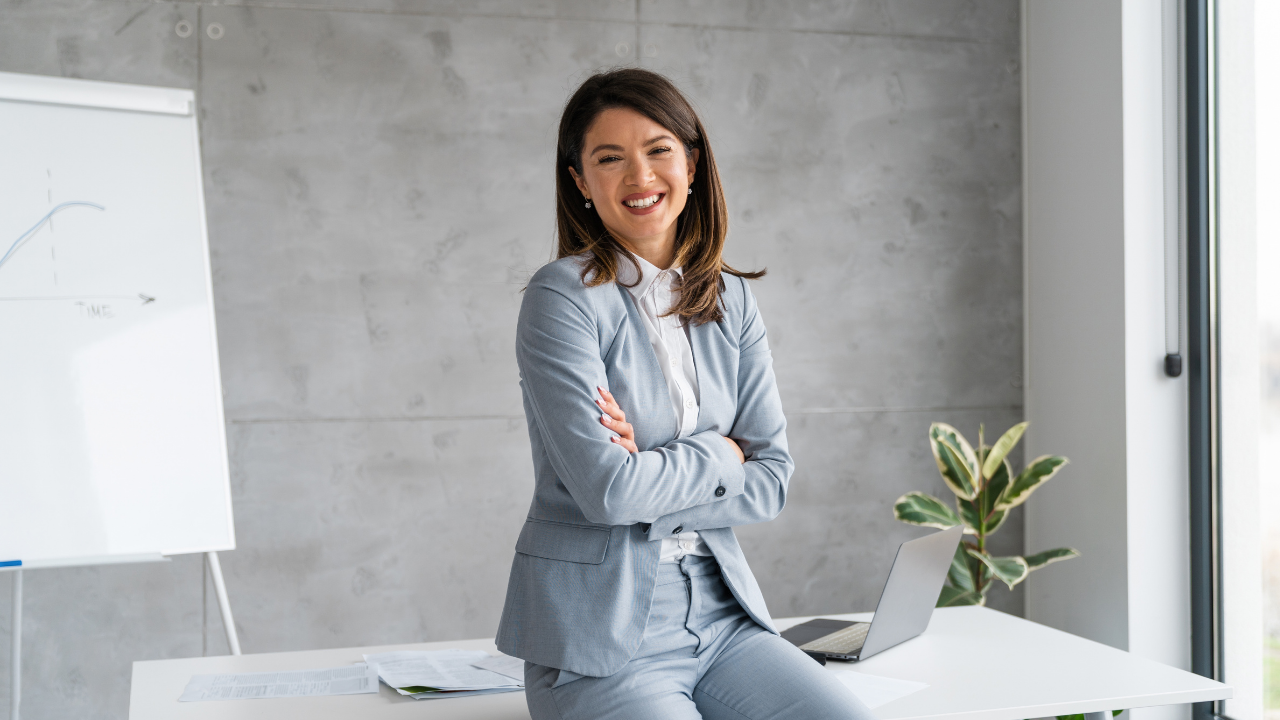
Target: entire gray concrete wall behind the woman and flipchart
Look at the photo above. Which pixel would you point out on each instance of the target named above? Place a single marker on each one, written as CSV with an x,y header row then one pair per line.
x,y
378,179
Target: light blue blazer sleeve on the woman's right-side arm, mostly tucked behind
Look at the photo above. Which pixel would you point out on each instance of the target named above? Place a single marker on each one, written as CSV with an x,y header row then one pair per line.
x,y
761,429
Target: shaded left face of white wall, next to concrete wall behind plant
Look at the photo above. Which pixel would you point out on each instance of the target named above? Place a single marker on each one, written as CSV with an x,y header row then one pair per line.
x,y
1075,312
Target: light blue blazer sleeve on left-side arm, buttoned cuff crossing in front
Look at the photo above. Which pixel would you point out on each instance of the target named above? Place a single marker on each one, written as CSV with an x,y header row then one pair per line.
x,y
559,354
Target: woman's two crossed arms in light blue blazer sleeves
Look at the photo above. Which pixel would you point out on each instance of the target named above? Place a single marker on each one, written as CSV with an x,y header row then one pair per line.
x,y
671,486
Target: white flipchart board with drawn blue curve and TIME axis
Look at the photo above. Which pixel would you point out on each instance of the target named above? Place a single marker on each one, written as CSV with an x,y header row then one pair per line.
x,y
112,435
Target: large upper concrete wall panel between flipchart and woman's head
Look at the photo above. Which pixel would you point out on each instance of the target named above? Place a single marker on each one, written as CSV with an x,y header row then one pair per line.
x,y
383,184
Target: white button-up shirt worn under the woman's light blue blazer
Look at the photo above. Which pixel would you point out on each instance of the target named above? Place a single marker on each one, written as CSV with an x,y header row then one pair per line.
x,y
655,295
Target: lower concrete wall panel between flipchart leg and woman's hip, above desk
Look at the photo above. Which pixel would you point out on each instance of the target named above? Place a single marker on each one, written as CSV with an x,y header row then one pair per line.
x,y
364,534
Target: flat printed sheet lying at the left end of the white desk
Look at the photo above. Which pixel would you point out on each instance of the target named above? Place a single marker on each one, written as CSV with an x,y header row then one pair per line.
x,y
350,680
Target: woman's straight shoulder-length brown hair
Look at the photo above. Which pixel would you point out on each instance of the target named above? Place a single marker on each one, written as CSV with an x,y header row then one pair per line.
x,y
702,226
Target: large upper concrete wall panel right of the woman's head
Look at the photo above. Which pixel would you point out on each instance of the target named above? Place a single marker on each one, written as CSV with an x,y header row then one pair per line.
x,y
879,181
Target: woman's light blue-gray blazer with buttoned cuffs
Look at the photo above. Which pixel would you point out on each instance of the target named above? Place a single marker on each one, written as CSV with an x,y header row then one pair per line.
x,y
587,559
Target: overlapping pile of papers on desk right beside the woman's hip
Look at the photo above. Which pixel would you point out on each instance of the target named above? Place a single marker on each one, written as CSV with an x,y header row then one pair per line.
x,y
447,673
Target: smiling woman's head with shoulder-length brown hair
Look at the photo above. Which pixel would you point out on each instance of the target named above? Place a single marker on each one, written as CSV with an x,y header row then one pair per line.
x,y
634,171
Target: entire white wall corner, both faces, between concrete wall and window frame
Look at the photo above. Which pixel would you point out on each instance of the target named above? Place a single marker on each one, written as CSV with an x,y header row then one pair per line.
x,y
1096,321
